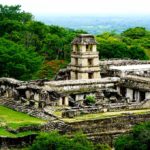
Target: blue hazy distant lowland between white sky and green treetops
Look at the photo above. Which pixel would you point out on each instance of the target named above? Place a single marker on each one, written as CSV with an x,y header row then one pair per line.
x,y
98,24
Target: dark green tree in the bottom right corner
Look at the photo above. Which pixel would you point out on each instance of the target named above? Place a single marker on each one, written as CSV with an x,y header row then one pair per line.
x,y
139,139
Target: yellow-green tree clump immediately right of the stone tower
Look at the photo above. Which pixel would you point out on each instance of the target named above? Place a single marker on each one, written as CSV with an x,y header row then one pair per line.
x,y
115,46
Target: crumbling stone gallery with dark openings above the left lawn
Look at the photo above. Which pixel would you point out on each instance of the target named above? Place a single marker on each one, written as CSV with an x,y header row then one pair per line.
x,y
29,93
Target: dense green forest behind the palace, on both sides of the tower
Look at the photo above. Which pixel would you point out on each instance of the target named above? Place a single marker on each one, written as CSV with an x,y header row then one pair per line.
x,y
30,49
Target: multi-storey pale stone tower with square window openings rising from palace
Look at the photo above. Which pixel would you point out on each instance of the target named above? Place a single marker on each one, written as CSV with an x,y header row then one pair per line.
x,y
84,58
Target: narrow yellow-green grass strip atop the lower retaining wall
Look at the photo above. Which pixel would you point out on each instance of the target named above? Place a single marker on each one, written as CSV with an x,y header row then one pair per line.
x,y
105,115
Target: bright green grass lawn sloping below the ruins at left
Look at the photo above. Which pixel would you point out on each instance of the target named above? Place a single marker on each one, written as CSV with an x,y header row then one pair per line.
x,y
13,119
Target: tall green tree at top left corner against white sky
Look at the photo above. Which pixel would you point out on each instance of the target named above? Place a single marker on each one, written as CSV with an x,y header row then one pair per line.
x,y
13,19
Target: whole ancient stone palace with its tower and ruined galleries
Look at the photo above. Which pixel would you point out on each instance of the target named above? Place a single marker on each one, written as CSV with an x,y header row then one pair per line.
x,y
115,84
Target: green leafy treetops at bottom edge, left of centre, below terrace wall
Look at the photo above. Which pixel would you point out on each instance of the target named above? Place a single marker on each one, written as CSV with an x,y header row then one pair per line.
x,y
55,141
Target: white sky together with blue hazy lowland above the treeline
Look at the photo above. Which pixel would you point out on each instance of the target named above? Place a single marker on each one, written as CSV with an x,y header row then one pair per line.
x,y
93,16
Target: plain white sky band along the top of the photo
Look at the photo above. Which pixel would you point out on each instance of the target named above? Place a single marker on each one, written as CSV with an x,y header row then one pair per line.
x,y
82,7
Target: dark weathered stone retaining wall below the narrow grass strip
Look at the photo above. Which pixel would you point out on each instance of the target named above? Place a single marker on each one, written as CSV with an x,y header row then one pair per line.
x,y
107,129
